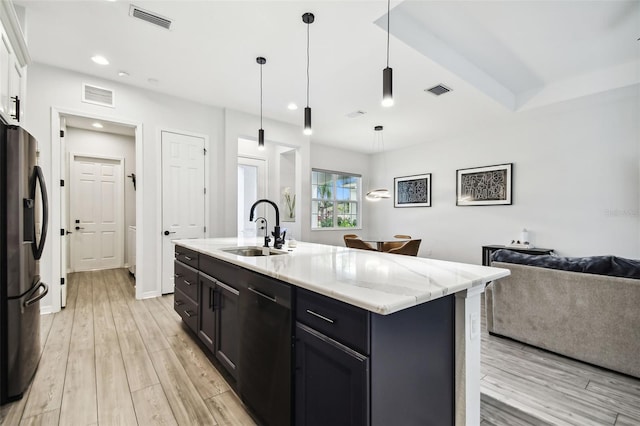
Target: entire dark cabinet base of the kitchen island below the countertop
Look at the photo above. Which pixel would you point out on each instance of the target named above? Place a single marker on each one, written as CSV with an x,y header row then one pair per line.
x,y
302,358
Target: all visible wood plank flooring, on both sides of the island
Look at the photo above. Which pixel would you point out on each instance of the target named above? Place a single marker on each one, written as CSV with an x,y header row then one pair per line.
x,y
109,359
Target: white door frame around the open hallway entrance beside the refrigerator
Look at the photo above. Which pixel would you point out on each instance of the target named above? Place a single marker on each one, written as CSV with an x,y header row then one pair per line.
x,y
57,174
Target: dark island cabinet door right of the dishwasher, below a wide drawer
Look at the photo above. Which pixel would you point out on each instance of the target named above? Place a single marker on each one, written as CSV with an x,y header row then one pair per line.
x,y
332,382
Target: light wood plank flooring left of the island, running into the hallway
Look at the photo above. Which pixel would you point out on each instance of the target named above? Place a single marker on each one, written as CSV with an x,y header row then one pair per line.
x,y
109,359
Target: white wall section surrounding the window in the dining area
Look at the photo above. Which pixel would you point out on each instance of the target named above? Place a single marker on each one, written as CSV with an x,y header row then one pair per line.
x,y
341,160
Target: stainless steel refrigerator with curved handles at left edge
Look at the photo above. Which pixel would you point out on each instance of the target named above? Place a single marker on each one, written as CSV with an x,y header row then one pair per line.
x,y
23,231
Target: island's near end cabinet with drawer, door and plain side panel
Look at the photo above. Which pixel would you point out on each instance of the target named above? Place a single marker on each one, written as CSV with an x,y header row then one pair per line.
x,y
357,368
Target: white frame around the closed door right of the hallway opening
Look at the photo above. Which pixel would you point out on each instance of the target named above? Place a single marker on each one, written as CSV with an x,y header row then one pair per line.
x,y
207,194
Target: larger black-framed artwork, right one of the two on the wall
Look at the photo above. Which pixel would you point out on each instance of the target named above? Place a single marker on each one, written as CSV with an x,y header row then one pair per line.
x,y
484,186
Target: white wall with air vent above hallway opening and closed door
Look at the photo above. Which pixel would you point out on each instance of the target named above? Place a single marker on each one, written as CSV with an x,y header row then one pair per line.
x,y
50,87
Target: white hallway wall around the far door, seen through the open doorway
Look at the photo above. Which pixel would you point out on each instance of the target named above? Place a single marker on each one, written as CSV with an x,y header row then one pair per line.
x,y
89,142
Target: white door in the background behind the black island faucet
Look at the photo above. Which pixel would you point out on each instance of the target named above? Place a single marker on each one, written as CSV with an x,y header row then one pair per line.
x,y
252,186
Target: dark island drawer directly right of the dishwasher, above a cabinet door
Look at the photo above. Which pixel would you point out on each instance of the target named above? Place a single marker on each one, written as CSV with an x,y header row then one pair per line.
x,y
347,324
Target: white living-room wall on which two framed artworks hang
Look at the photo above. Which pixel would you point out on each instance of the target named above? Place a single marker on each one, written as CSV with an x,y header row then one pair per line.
x,y
575,182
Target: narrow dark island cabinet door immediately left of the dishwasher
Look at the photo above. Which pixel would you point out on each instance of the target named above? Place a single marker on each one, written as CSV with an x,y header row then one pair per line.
x,y
227,330
